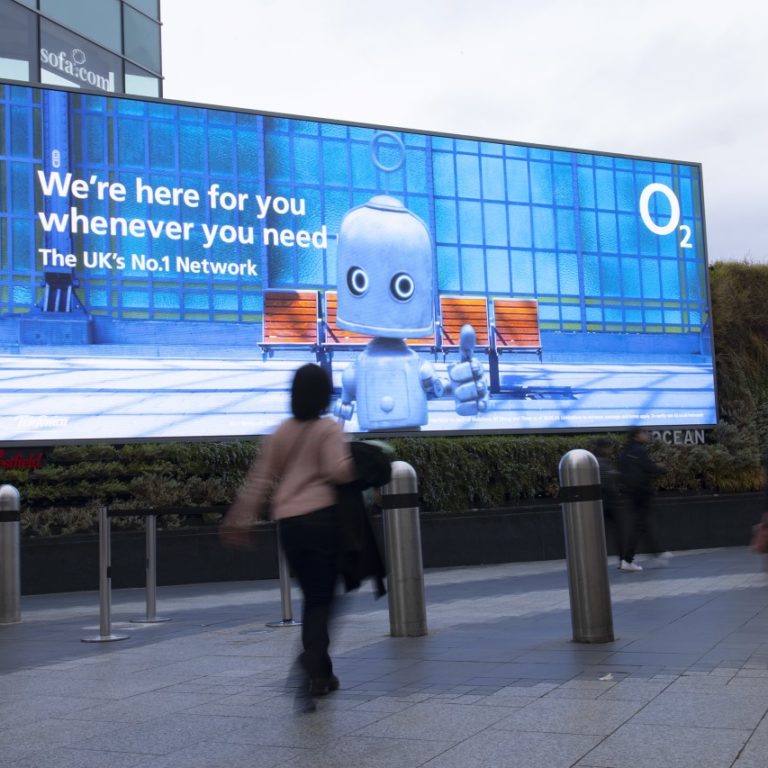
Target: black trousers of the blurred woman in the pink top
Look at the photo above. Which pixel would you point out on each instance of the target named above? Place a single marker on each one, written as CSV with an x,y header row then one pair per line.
x,y
311,545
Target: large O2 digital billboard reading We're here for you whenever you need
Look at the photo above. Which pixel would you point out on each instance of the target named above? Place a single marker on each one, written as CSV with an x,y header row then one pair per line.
x,y
166,267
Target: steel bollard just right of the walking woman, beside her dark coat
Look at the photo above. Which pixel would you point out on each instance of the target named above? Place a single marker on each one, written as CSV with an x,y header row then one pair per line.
x,y
402,540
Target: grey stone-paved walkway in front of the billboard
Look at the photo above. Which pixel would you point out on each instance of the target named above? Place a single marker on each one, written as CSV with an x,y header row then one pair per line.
x,y
496,683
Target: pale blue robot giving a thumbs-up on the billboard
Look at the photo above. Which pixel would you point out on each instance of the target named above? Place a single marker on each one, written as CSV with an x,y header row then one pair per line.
x,y
386,290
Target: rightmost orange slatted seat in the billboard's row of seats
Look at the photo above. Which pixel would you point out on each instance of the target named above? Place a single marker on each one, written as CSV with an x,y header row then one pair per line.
x,y
514,328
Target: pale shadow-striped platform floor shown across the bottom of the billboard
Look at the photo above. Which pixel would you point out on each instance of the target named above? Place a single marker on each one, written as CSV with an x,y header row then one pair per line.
x,y
101,396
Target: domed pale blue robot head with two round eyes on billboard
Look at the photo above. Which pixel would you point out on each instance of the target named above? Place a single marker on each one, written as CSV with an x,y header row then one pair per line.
x,y
385,271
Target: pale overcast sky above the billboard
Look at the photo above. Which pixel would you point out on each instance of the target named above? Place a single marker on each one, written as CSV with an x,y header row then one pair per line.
x,y
676,79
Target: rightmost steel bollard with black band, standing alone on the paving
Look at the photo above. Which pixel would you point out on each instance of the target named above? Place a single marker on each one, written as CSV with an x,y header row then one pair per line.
x,y
581,501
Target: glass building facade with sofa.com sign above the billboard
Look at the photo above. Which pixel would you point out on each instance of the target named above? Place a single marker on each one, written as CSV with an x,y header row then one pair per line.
x,y
109,46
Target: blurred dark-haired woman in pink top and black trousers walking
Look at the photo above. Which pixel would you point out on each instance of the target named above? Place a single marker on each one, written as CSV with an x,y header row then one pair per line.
x,y
300,464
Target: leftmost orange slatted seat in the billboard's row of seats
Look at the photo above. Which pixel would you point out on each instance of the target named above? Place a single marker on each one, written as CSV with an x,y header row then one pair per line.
x,y
290,321
